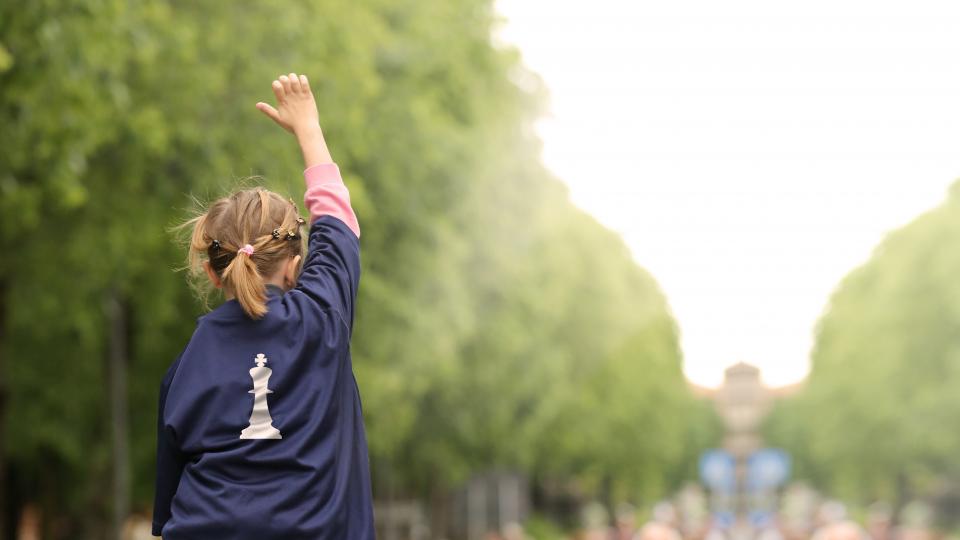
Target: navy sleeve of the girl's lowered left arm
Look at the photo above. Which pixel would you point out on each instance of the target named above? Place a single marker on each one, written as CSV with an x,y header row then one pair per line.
x,y
170,461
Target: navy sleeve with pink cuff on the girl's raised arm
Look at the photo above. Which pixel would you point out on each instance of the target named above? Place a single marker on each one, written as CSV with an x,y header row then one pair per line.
x,y
331,271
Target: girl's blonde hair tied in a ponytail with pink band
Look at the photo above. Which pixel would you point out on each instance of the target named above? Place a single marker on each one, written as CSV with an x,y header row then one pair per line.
x,y
261,218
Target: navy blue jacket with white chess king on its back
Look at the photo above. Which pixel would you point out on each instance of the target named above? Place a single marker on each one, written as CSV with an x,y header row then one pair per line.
x,y
313,481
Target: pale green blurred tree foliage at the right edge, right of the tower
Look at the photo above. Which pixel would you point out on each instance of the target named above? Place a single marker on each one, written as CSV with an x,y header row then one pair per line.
x,y
876,419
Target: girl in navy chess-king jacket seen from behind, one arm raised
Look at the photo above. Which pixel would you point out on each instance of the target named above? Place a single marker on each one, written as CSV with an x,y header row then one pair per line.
x,y
260,431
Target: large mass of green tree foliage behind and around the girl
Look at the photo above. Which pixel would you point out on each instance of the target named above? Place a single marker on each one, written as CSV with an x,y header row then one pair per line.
x,y
498,326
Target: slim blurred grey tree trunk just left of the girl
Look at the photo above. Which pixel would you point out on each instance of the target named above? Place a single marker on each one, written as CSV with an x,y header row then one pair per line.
x,y
117,368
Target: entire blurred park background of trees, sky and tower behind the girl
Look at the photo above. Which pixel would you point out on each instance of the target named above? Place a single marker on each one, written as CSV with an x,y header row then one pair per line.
x,y
630,270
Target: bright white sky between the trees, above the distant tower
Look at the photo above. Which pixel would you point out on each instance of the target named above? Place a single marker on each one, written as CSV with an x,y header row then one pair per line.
x,y
750,152
